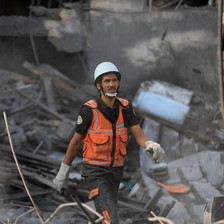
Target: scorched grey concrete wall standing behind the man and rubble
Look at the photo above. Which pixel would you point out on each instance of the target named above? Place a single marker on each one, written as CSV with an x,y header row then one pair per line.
x,y
178,45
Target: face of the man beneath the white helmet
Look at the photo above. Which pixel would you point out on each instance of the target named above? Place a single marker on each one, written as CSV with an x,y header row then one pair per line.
x,y
110,83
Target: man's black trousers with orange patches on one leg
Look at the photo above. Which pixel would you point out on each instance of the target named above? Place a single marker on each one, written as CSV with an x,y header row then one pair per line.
x,y
104,189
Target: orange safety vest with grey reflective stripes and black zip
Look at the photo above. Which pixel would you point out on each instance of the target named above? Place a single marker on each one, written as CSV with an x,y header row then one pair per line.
x,y
105,143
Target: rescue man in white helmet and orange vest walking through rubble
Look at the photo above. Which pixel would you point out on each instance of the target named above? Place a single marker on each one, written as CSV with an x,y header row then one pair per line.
x,y
102,125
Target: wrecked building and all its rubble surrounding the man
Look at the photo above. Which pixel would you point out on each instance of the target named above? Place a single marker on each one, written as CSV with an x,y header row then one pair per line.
x,y
170,56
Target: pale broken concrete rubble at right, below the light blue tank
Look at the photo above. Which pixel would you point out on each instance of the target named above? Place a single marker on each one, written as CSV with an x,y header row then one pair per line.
x,y
192,174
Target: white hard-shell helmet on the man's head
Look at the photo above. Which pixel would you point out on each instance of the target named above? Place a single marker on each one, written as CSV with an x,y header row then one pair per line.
x,y
103,68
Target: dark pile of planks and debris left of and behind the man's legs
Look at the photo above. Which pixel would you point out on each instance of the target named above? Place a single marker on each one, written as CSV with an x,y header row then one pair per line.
x,y
41,107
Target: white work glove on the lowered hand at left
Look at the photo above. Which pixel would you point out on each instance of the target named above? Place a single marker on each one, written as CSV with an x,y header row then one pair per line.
x,y
62,177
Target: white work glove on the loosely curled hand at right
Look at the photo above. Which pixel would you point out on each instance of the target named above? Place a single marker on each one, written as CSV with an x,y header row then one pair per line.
x,y
155,150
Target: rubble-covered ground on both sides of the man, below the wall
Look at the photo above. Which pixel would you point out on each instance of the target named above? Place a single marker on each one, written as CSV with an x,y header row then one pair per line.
x,y
41,108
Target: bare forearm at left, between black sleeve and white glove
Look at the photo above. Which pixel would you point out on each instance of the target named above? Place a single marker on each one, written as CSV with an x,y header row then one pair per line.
x,y
73,148
